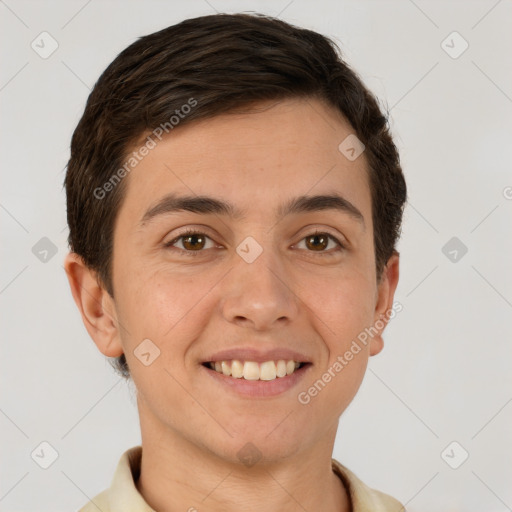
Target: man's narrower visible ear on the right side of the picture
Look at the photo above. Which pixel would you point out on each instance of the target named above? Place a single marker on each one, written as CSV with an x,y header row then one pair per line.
x,y
384,303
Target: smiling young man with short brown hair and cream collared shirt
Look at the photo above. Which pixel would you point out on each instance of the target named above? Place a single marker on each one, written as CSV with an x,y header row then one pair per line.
x,y
234,201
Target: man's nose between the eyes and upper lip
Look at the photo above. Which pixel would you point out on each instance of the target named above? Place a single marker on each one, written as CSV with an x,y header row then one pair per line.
x,y
259,295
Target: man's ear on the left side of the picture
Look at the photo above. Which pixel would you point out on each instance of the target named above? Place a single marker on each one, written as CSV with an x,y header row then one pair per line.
x,y
95,305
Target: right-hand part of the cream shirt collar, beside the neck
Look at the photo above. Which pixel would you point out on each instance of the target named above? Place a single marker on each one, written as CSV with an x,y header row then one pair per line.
x,y
364,498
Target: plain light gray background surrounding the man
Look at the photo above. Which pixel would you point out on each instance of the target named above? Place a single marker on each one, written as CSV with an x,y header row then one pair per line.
x,y
445,373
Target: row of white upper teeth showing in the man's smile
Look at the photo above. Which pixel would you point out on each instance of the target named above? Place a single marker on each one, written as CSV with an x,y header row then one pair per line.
x,y
251,370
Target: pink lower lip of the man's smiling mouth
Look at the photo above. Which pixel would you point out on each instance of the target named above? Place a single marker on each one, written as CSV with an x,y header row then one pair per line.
x,y
259,388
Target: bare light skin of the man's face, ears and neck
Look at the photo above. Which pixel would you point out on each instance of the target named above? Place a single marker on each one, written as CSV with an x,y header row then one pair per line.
x,y
293,296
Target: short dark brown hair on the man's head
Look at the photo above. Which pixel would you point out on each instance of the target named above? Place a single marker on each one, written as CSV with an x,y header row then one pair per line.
x,y
225,62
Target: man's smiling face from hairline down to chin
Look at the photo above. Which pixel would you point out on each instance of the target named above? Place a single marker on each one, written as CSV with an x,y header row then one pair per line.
x,y
261,272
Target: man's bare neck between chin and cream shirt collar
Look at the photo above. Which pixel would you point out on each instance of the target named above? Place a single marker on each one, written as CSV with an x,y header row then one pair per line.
x,y
177,474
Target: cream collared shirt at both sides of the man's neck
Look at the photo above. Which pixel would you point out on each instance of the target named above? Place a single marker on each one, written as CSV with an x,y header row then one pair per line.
x,y
123,496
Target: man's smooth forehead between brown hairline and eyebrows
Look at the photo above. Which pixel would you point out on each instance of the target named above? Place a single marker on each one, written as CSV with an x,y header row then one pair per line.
x,y
277,151
